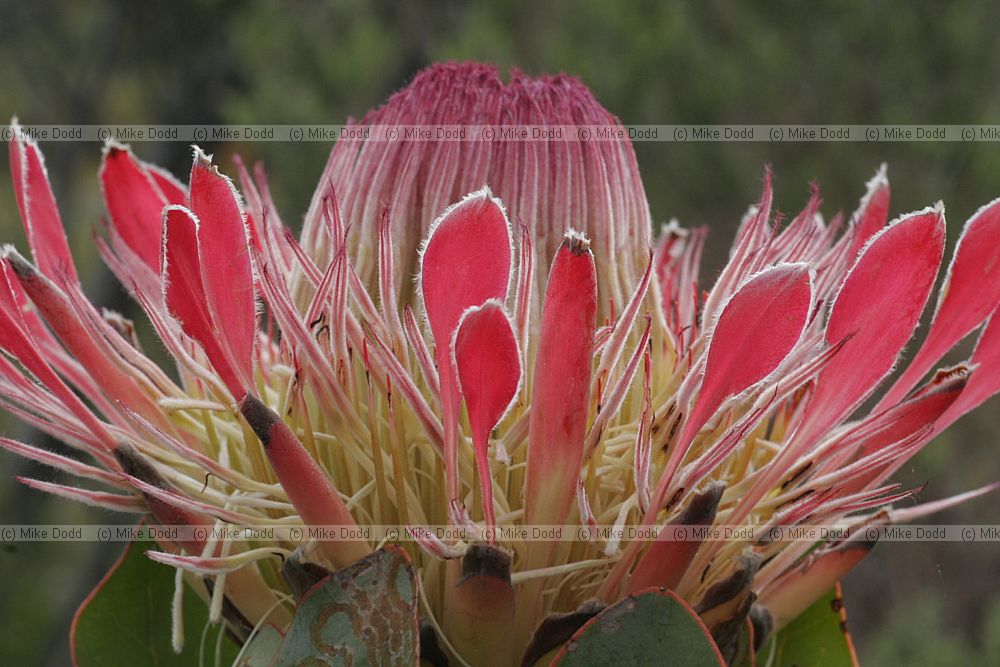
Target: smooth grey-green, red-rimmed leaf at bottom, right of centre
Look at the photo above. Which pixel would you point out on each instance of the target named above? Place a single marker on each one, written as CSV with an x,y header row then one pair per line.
x,y
653,627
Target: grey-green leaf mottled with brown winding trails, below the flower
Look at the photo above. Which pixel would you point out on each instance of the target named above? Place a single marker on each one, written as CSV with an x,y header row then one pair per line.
x,y
363,614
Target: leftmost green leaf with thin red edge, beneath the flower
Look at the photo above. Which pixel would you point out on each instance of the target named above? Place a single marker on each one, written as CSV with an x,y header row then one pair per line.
x,y
126,620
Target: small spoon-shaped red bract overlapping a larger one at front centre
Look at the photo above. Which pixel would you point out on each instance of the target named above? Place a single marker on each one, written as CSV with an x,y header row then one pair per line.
x,y
489,373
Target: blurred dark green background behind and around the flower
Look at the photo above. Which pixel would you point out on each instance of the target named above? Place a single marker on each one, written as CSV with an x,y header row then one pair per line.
x,y
652,62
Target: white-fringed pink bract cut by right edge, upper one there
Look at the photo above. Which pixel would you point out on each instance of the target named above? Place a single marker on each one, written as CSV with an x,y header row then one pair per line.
x,y
969,294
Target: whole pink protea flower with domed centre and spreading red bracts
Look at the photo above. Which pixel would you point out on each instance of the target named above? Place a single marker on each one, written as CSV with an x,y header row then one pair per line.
x,y
546,367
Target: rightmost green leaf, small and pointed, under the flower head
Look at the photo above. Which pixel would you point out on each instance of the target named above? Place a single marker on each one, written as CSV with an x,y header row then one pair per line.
x,y
816,638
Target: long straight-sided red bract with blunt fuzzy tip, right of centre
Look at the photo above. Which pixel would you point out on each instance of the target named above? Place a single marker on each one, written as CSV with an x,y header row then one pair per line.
x,y
561,391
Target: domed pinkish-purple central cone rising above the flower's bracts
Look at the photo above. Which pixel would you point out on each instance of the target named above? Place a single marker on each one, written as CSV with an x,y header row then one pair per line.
x,y
549,186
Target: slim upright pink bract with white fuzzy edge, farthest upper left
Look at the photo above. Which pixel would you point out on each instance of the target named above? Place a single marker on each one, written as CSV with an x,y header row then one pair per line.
x,y
37,204
